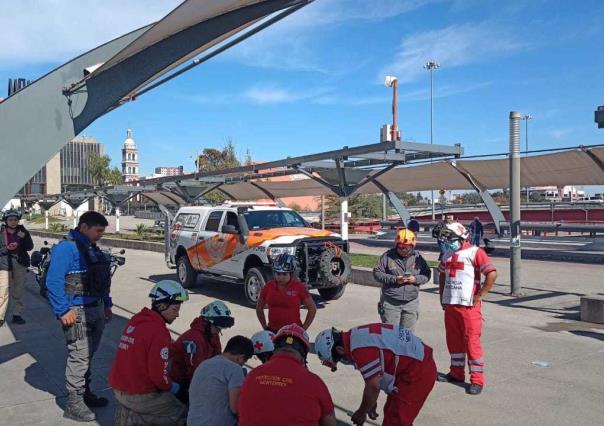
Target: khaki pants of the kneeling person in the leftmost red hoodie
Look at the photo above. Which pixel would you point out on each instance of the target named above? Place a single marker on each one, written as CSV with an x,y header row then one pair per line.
x,y
157,408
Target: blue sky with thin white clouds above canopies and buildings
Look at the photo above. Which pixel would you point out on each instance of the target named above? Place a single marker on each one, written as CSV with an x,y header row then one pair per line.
x,y
315,80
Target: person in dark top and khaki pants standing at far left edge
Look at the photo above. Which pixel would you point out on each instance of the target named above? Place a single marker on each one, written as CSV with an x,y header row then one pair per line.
x,y
15,242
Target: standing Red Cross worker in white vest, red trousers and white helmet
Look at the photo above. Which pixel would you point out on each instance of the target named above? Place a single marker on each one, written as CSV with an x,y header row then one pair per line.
x,y
461,293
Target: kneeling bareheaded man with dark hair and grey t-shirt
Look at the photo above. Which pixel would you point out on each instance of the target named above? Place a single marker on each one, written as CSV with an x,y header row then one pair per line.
x,y
214,390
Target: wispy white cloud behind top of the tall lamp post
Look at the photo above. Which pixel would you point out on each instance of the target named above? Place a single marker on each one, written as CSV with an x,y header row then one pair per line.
x,y
453,46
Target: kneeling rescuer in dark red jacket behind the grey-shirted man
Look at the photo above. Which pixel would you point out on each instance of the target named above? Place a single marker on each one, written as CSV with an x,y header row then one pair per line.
x,y
198,343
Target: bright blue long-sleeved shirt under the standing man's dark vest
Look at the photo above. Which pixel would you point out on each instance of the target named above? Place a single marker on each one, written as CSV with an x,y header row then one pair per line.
x,y
65,260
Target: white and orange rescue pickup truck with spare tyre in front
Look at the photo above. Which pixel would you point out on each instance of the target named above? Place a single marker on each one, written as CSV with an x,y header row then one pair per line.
x,y
239,244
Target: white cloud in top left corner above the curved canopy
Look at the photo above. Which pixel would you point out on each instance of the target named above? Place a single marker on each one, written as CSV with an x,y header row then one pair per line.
x,y
33,31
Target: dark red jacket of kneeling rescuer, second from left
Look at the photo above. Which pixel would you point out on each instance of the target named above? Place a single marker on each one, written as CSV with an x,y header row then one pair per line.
x,y
191,349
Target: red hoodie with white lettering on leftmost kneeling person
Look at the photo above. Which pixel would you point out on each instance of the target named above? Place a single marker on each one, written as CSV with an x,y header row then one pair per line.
x,y
141,362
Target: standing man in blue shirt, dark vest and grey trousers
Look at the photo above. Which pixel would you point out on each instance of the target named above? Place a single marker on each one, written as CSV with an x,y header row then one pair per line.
x,y
79,281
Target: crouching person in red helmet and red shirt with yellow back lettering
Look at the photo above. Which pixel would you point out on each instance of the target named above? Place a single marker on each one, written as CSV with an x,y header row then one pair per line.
x,y
282,391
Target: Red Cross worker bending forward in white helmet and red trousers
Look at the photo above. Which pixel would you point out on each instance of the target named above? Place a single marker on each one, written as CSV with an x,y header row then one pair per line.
x,y
389,358
